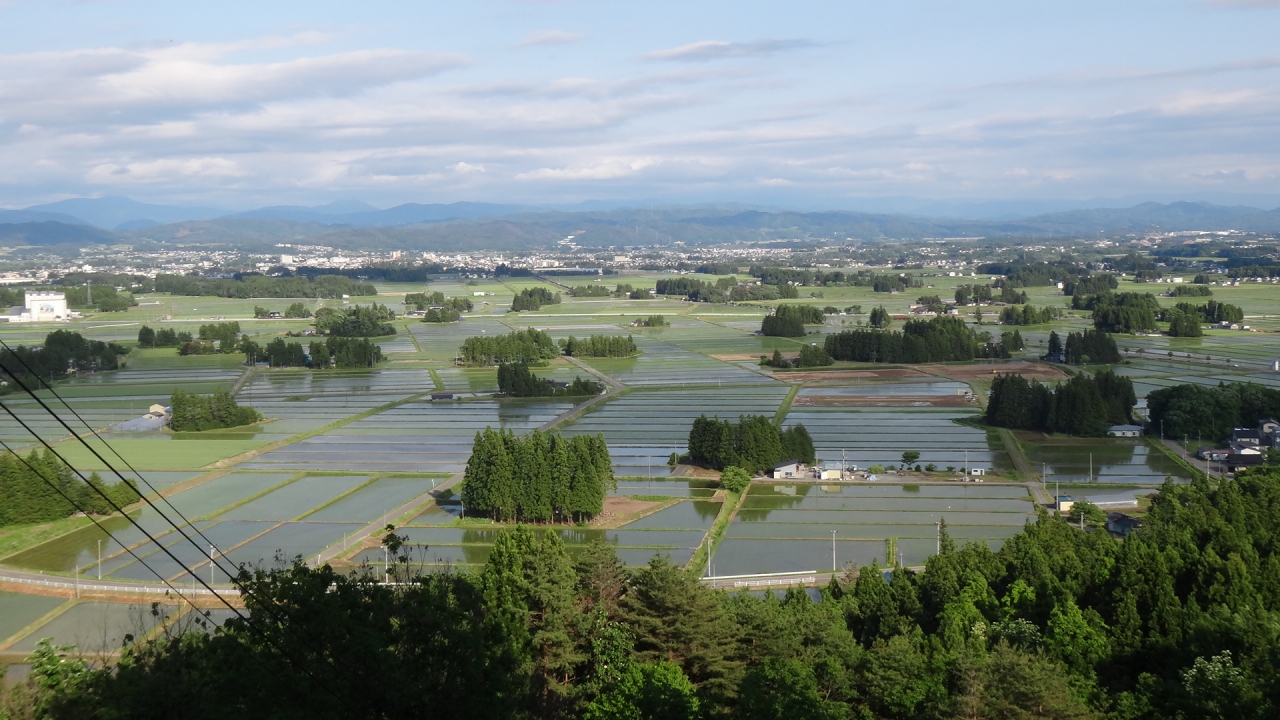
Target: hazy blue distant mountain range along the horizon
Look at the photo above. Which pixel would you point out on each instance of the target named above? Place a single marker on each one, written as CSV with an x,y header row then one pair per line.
x,y
476,226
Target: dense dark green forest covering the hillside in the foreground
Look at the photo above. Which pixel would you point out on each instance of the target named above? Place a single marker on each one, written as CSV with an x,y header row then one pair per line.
x,y
1177,622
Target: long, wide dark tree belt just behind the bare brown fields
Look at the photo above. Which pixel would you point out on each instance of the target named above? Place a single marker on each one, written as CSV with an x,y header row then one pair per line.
x,y
920,341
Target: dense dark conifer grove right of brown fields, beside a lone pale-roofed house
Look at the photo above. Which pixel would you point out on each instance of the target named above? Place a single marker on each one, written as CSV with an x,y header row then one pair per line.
x,y
1081,407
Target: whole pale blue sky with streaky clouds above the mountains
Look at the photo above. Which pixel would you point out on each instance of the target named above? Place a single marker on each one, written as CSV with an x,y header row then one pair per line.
x,y
804,104
